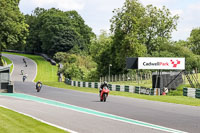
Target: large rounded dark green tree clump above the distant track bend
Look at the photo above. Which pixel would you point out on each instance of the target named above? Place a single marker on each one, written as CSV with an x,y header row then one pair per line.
x,y
53,31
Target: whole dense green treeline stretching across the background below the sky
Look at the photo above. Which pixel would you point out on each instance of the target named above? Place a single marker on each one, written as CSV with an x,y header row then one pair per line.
x,y
136,30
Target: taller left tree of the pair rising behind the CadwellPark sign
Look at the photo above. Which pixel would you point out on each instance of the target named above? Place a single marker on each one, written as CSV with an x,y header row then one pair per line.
x,y
128,38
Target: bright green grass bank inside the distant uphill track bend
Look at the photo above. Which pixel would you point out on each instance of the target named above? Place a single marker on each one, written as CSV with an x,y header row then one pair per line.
x,y
45,71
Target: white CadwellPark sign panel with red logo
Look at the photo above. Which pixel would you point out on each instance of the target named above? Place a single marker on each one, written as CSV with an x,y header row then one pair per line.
x,y
161,63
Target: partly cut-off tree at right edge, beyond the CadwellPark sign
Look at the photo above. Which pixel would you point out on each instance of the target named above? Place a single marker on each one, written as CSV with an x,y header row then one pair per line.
x,y
194,41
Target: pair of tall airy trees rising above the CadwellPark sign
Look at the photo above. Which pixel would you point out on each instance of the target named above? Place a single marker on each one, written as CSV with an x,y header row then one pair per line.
x,y
138,31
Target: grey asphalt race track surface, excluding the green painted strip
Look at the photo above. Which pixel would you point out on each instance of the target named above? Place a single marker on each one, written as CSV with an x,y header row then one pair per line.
x,y
180,117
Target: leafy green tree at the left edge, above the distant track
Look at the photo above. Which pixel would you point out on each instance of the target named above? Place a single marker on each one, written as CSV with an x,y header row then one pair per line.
x,y
13,30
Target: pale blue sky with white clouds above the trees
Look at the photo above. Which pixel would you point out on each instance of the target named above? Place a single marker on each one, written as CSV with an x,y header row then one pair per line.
x,y
97,13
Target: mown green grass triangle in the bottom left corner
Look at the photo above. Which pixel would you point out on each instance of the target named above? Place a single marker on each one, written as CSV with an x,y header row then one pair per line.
x,y
13,122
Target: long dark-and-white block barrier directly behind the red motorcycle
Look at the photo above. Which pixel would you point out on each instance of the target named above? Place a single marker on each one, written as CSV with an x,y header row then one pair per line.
x,y
114,87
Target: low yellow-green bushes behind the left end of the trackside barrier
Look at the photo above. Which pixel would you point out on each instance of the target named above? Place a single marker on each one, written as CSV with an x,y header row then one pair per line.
x,y
77,67
